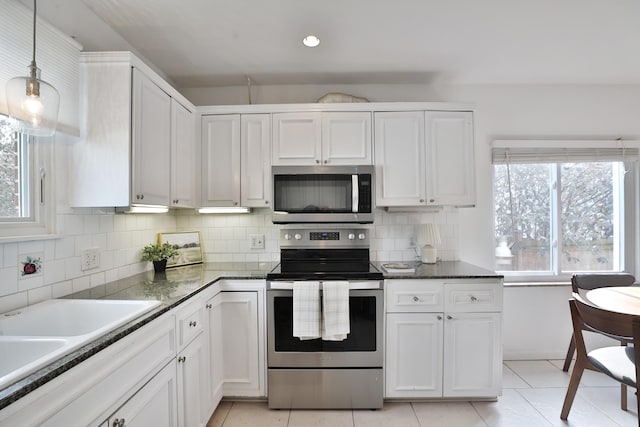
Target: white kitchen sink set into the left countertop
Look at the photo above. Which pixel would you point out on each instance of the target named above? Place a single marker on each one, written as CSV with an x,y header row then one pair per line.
x,y
34,336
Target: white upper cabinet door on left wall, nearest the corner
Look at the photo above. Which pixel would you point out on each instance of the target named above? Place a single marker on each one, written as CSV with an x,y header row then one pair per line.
x,y
183,156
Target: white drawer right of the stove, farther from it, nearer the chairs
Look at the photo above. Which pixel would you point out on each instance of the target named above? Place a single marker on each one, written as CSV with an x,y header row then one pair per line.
x,y
473,296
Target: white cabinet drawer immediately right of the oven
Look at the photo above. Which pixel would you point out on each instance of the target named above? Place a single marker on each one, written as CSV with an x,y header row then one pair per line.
x,y
414,296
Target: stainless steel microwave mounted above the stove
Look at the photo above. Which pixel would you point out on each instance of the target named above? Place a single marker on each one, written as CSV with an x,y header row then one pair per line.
x,y
323,194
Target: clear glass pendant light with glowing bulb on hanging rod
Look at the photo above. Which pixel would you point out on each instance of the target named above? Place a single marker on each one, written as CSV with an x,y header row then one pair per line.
x,y
33,102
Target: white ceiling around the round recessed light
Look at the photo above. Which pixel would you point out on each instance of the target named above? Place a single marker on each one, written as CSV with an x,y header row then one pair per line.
x,y
220,42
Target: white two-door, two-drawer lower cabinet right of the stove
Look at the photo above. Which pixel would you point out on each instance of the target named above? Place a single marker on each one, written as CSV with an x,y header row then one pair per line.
x,y
443,338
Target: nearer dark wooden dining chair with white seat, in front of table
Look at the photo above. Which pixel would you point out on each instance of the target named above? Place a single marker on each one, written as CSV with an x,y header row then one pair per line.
x,y
618,362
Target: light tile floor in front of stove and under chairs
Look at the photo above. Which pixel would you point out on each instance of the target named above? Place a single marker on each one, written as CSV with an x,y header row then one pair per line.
x,y
533,393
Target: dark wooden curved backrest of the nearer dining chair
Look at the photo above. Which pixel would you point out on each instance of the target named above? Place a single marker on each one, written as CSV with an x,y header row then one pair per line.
x,y
586,316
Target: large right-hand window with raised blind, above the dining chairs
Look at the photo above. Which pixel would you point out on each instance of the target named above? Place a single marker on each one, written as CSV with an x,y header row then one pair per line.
x,y
559,211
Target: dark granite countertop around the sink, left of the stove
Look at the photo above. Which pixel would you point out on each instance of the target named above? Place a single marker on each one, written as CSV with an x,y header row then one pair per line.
x,y
171,289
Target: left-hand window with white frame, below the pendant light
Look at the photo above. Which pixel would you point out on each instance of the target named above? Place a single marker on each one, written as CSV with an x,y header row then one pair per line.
x,y
24,197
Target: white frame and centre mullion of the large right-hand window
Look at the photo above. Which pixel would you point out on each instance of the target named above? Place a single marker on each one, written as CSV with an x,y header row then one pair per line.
x,y
576,152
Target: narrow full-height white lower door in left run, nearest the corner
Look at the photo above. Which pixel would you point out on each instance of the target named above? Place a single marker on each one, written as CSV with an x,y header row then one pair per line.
x,y
216,366
